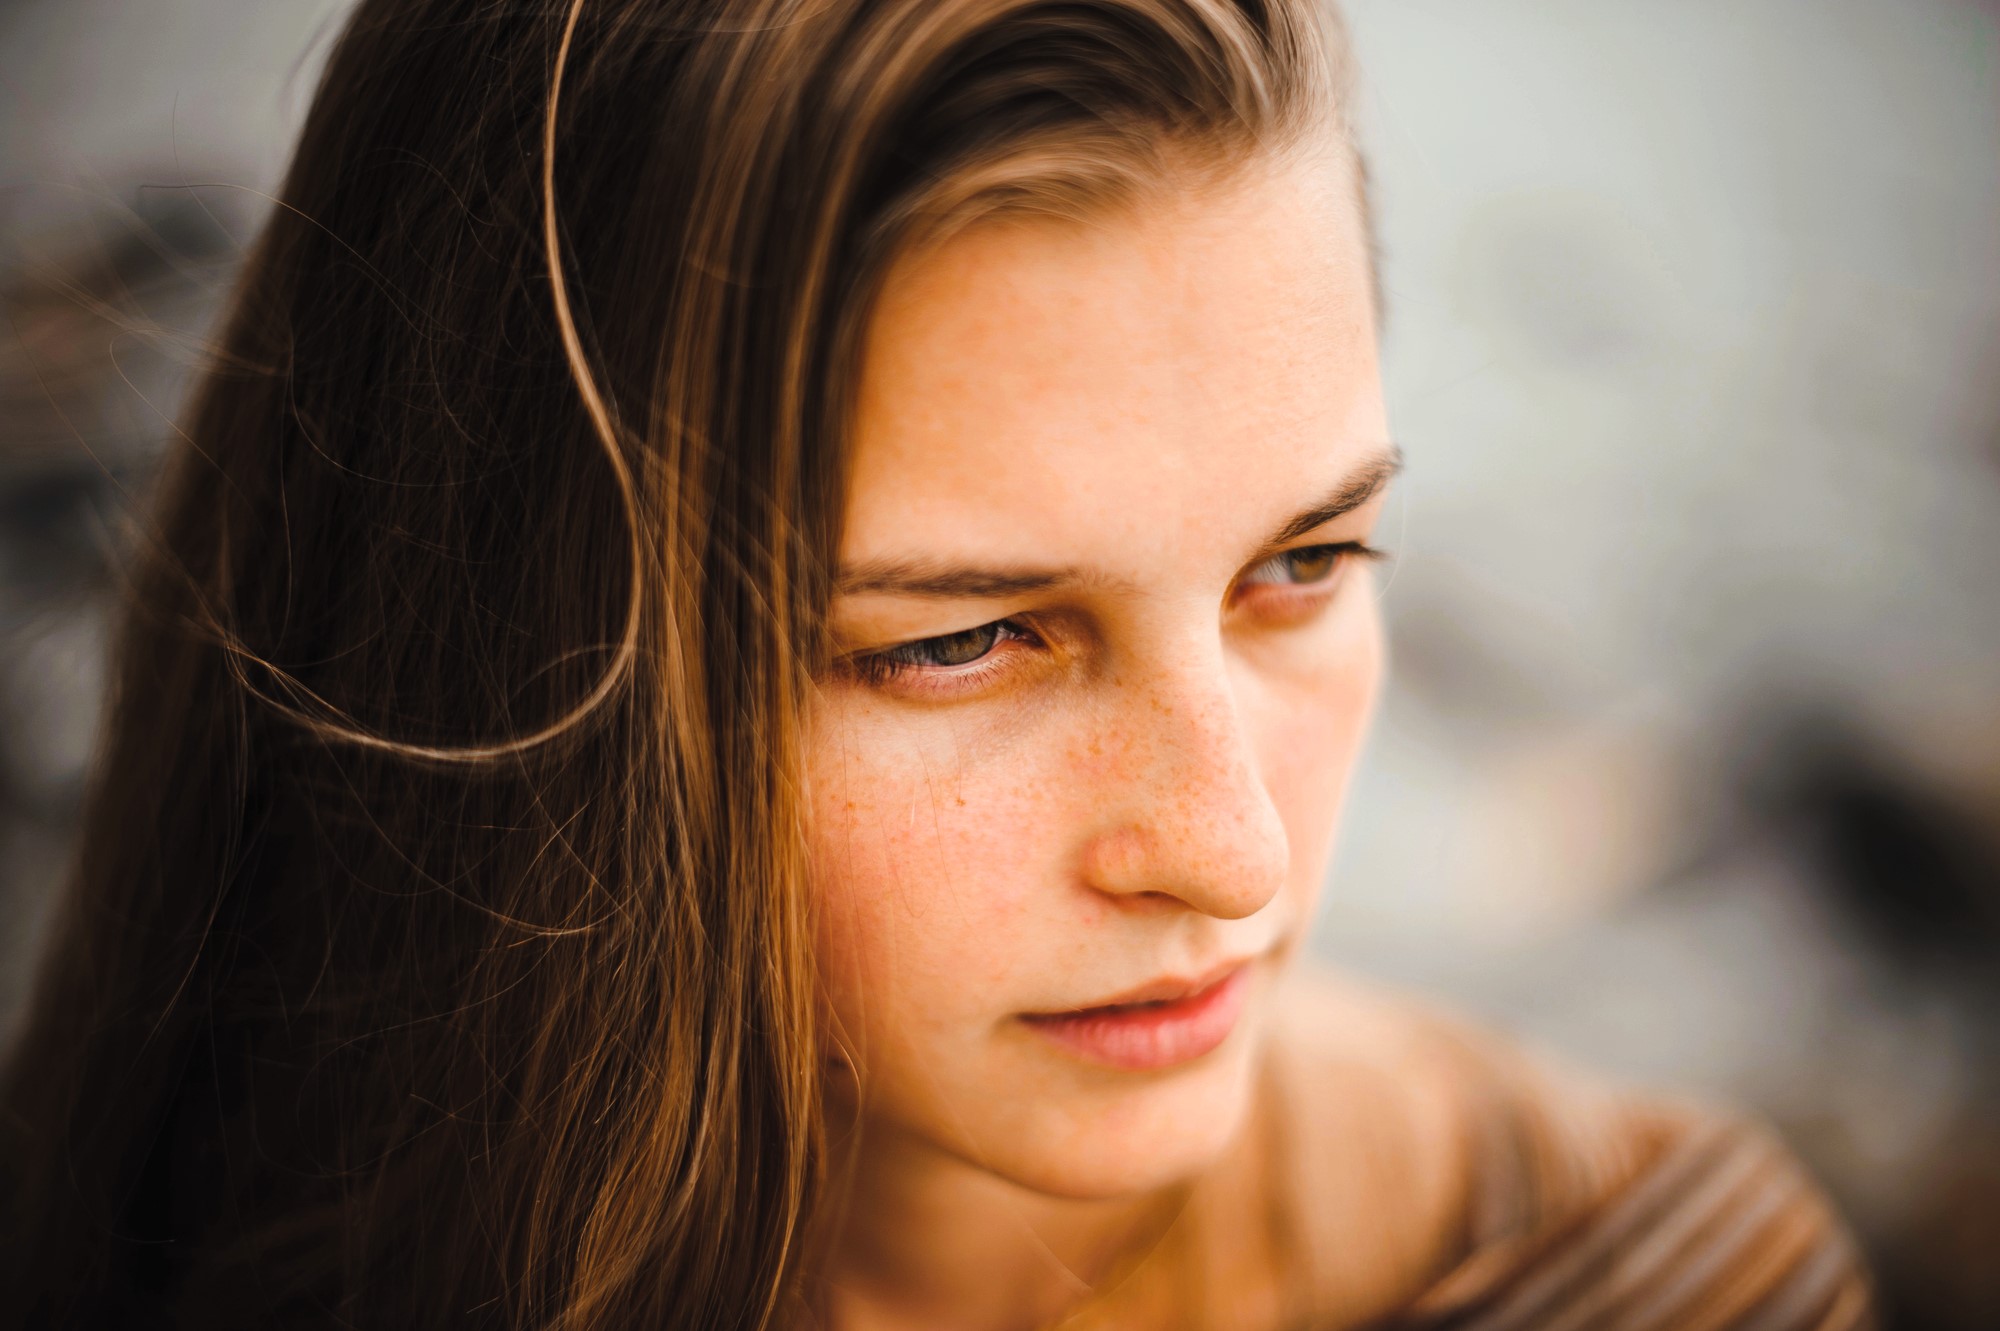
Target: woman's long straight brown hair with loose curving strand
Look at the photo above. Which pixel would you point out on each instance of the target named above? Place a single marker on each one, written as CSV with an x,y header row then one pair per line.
x,y
439,948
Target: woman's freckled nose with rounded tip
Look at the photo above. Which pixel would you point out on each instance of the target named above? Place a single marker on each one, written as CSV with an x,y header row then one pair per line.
x,y
1191,818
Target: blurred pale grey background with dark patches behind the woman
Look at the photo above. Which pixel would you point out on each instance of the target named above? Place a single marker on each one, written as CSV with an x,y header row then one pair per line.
x,y
1691,766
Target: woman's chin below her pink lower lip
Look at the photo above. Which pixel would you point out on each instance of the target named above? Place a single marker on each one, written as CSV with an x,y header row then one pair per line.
x,y
1119,1134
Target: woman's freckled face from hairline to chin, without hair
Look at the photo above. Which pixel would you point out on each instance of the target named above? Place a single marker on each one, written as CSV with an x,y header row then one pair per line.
x,y
1109,645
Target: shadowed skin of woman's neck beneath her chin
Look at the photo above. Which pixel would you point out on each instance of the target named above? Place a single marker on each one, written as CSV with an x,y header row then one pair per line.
x,y
929,1240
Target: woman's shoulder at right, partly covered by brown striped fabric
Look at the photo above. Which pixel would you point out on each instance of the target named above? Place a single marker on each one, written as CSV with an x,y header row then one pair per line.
x,y
1451,1176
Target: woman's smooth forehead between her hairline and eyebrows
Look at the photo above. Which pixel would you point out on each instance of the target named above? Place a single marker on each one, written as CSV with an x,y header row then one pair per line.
x,y
1063,391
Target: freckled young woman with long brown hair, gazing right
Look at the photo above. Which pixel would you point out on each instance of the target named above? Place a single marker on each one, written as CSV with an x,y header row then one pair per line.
x,y
735,706
